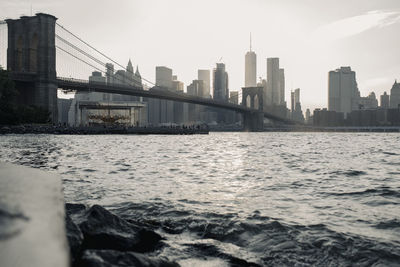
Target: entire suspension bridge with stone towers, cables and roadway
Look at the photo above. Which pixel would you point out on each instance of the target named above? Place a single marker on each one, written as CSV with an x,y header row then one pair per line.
x,y
33,46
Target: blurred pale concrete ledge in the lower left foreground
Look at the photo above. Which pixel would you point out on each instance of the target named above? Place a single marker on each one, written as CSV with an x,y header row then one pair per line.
x,y
32,227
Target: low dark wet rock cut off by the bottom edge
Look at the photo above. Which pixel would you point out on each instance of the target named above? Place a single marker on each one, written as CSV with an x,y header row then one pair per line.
x,y
112,258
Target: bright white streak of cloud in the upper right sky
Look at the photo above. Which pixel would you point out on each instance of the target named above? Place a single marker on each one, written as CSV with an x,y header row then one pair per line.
x,y
355,25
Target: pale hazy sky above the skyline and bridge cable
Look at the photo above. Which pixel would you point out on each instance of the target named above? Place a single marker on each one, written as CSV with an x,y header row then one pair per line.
x,y
311,37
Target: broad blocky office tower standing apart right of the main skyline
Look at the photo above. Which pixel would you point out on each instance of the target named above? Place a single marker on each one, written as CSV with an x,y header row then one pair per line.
x,y
343,94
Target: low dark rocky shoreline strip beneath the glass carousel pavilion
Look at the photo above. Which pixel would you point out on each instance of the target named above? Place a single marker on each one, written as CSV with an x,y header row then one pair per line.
x,y
57,129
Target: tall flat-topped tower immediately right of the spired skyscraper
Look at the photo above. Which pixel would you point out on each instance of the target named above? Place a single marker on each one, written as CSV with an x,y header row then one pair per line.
x,y
273,81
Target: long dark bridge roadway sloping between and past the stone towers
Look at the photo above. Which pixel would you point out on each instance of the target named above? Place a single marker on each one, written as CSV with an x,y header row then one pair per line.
x,y
69,84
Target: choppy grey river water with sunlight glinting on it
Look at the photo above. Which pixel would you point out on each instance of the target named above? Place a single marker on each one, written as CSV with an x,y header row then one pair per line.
x,y
239,198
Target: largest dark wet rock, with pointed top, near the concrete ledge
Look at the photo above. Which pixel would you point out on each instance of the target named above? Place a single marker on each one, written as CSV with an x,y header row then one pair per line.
x,y
103,230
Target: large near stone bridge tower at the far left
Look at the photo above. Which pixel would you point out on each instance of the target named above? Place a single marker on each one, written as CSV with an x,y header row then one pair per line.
x,y
31,54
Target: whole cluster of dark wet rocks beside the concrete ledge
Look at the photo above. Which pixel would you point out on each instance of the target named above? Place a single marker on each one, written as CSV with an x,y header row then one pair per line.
x,y
99,238
